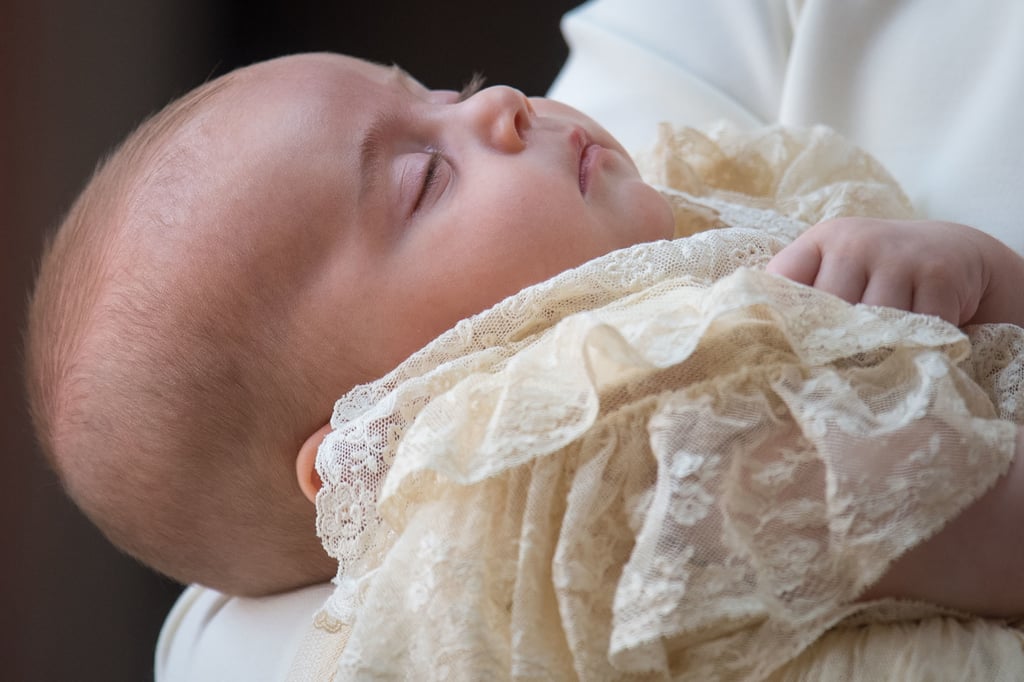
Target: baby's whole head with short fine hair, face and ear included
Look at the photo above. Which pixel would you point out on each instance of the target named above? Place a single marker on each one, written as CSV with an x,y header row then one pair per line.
x,y
261,247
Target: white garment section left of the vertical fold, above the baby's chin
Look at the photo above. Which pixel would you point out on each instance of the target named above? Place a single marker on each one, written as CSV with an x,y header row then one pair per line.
x,y
633,64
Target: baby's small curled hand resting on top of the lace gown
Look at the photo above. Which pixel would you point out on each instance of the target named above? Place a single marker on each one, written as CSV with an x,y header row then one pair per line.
x,y
941,269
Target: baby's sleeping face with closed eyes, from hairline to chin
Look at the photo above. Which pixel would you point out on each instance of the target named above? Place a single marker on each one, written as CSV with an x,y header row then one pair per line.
x,y
393,211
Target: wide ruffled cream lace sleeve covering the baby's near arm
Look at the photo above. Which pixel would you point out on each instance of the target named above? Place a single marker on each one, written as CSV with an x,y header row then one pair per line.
x,y
711,471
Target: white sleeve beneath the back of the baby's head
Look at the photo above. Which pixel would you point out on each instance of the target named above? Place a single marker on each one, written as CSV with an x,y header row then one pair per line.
x,y
211,637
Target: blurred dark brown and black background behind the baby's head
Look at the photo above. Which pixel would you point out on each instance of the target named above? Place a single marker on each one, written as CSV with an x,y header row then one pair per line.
x,y
75,78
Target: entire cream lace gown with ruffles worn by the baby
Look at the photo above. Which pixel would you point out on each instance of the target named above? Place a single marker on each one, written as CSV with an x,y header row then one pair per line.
x,y
668,464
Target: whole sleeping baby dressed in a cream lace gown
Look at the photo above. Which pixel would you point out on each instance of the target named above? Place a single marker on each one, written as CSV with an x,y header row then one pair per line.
x,y
568,444
